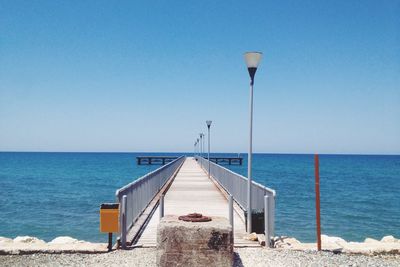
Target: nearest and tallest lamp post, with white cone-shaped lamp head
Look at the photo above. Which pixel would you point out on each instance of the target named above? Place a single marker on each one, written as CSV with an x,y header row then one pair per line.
x,y
252,60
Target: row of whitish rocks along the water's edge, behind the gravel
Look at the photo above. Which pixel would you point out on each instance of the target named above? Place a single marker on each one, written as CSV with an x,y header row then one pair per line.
x,y
23,245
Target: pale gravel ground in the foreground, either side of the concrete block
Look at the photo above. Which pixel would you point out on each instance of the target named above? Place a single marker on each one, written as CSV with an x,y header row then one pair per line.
x,y
251,257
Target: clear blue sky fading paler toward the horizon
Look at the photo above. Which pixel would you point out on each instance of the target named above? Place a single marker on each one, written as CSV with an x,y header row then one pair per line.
x,y
131,76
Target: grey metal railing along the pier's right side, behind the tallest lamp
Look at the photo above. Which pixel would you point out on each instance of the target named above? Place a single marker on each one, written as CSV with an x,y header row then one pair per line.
x,y
236,185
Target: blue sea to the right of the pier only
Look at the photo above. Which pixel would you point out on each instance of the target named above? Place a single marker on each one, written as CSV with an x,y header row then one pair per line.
x,y
360,195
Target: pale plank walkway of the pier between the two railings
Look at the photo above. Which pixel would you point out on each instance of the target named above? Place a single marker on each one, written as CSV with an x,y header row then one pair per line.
x,y
192,191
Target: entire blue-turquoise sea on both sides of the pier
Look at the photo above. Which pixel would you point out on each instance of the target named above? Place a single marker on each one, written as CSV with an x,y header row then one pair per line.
x,y
52,194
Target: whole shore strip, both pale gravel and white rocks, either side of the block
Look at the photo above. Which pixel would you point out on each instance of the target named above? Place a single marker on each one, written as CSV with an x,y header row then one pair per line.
x,y
67,251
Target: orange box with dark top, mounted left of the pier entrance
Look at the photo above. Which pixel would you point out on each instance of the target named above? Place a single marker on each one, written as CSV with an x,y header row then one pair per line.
x,y
109,218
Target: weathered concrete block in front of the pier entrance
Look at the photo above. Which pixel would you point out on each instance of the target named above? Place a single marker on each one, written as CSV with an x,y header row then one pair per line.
x,y
193,244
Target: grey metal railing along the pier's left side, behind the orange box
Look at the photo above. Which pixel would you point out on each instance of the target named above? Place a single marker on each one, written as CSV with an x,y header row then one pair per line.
x,y
136,196
